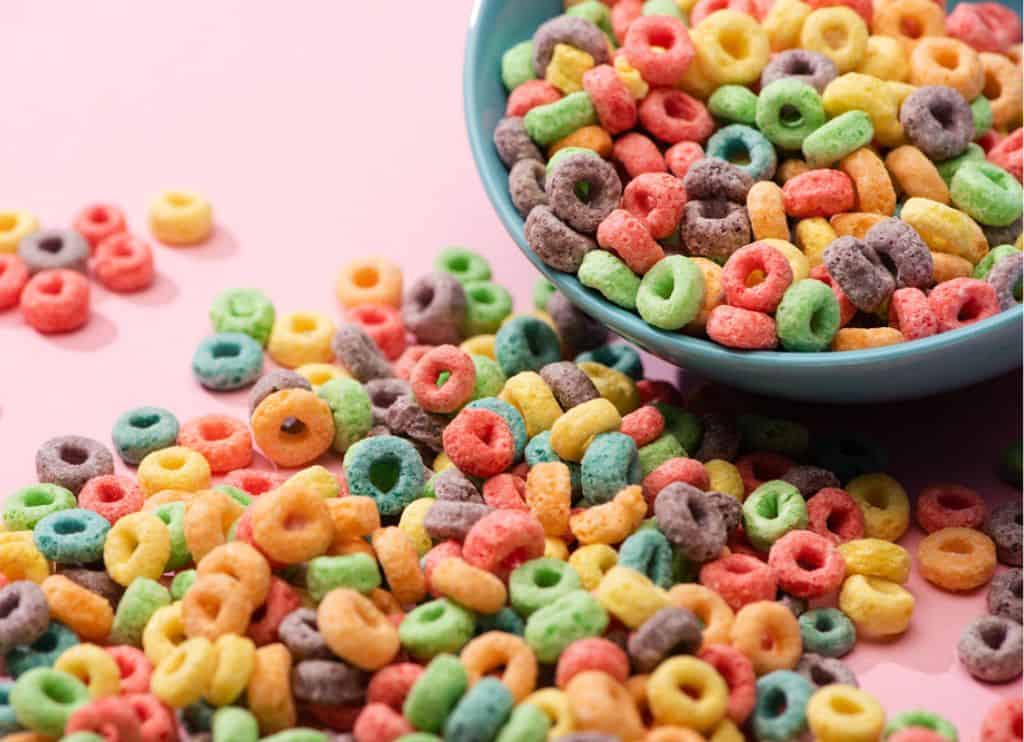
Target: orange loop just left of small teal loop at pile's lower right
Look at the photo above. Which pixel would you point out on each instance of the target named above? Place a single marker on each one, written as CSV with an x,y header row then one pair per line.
x,y
769,635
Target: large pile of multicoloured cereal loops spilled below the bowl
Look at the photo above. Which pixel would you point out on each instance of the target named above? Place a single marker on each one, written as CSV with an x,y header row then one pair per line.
x,y
520,548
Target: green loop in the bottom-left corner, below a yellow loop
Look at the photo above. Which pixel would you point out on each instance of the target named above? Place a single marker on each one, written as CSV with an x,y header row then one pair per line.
x,y
45,699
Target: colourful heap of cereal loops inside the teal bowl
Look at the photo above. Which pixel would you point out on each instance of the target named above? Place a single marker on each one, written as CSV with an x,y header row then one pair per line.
x,y
885,222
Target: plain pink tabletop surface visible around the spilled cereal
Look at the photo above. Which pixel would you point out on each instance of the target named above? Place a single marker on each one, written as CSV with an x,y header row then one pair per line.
x,y
322,133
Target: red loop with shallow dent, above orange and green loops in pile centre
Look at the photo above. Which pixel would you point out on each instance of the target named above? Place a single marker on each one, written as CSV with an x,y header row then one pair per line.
x,y
502,541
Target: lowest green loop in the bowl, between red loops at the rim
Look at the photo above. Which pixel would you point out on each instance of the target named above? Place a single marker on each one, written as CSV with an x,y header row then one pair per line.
x,y
808,317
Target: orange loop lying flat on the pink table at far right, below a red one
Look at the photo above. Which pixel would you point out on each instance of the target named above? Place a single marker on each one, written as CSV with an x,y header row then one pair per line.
x,y
957,559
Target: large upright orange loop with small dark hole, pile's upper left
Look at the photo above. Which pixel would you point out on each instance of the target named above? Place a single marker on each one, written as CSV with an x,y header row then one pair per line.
x,y
293,427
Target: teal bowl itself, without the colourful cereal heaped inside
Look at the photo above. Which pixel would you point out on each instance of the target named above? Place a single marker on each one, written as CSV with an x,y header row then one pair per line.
x,y
911,370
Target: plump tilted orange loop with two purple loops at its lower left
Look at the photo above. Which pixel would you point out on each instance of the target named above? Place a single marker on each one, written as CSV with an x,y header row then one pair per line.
x,y
357,631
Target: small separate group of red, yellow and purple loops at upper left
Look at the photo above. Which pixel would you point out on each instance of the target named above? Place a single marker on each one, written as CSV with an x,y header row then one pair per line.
x,y
45,272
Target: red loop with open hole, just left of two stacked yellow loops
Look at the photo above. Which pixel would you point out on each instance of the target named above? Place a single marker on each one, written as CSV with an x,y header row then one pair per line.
x,y
807,565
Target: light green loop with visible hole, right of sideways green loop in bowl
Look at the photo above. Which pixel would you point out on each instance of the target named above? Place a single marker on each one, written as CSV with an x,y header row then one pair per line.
x,y
671,293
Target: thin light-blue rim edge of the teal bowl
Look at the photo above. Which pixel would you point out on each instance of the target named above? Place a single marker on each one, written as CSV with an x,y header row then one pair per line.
x,y
630,325
